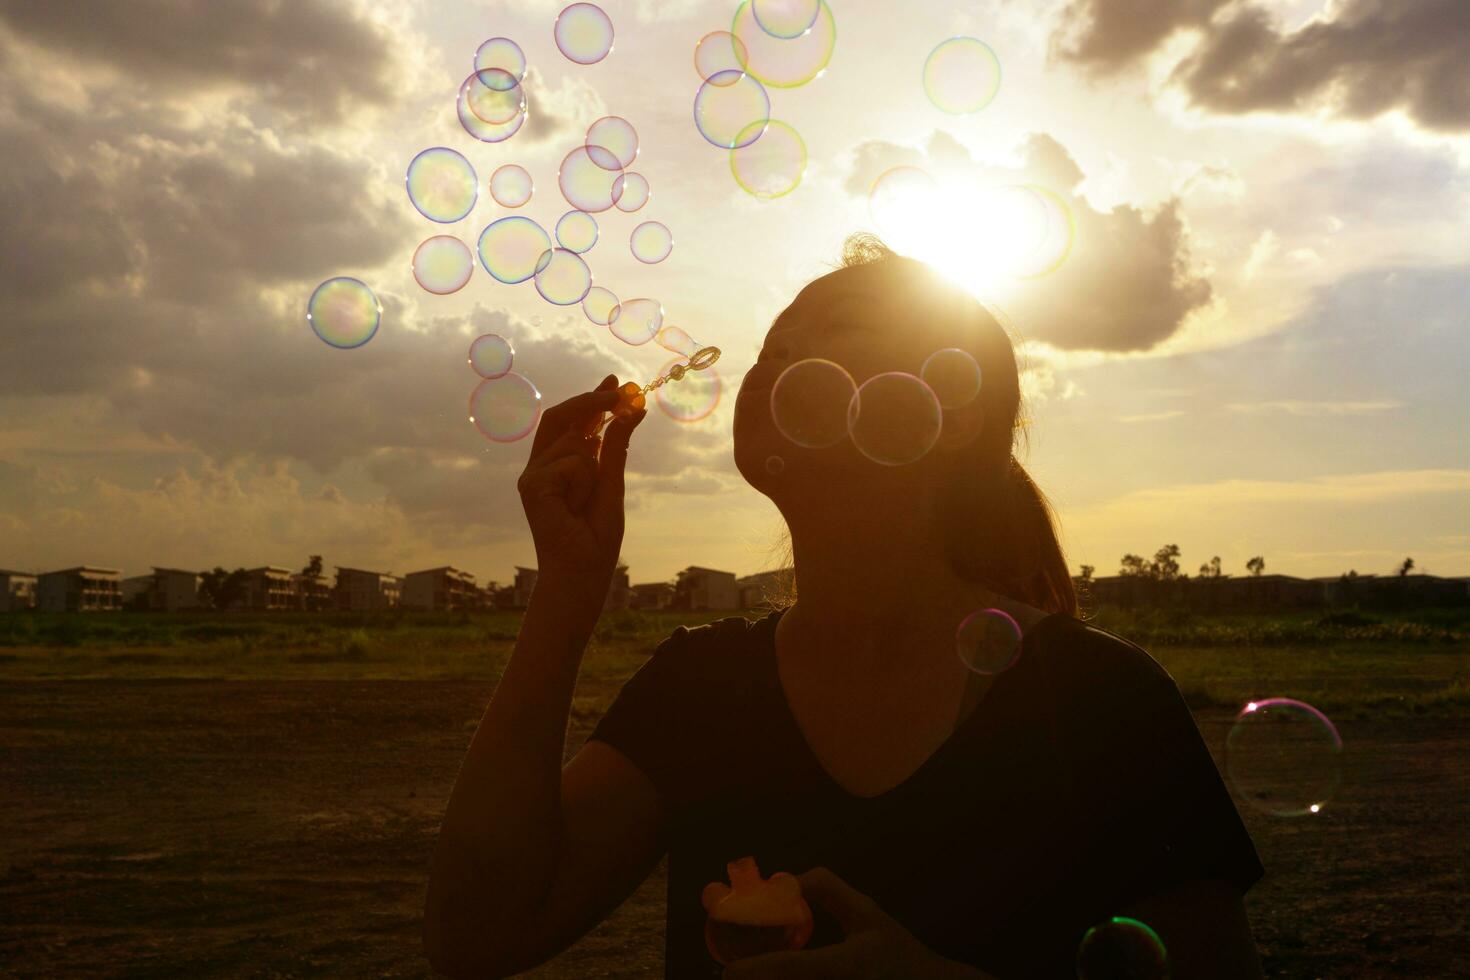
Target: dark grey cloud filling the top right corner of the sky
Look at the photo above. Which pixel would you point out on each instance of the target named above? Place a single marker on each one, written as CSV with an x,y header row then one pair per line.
x,y
1369,58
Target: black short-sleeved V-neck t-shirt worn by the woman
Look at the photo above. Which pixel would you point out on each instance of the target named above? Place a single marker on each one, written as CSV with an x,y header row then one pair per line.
x,y
1077,787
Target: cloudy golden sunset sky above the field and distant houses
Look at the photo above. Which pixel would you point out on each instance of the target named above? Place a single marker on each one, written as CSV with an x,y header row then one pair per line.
x,y
1258,345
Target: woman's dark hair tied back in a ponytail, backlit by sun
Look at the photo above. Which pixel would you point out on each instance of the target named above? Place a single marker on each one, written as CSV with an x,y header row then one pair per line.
x,y
1005,531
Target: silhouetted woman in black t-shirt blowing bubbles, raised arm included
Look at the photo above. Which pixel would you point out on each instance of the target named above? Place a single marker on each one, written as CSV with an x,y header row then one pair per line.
x,y
943,822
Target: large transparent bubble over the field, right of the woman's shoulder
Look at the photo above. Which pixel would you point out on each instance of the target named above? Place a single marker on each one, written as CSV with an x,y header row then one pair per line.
x,y
1284,757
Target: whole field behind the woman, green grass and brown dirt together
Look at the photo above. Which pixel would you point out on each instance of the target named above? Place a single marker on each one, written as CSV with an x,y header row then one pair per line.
x,y
258,796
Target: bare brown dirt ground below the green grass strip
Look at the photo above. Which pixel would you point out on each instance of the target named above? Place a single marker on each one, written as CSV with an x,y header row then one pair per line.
x,y
284,829
